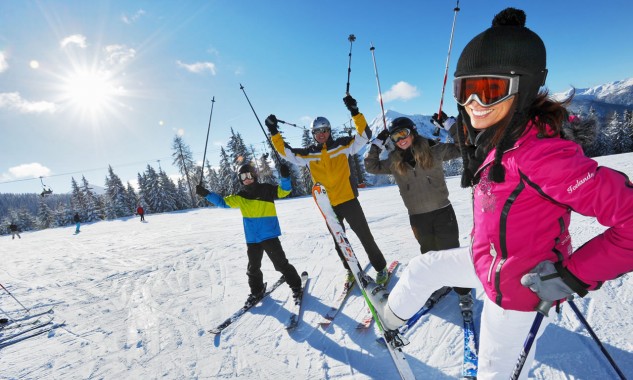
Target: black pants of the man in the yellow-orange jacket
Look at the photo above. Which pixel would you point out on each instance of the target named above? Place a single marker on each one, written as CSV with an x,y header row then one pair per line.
x,y
351,212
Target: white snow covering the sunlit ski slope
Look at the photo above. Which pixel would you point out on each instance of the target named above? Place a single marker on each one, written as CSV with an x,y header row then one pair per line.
x,y
137,299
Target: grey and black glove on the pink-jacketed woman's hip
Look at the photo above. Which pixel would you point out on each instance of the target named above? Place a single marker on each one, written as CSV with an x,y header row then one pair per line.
x,y
553,282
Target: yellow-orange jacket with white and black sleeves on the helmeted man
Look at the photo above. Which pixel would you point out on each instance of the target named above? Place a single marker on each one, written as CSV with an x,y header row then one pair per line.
x,y
328,163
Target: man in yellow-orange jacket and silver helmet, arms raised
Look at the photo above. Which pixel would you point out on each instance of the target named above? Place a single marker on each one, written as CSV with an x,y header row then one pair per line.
x,y
328,163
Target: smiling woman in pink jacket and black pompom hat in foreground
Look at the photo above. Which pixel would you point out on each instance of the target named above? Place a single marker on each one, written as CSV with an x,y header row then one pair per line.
x,y
526,181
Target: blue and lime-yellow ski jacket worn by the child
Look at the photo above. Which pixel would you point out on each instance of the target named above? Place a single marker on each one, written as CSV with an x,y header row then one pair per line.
x,y
257,204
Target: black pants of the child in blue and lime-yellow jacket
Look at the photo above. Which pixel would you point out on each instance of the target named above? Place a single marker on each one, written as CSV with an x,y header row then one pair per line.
x,y
276,254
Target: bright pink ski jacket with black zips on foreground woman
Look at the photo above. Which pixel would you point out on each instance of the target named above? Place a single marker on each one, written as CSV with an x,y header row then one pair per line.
x,y
525,220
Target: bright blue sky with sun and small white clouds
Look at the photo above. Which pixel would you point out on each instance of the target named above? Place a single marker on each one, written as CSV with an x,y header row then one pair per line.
x,y
87,84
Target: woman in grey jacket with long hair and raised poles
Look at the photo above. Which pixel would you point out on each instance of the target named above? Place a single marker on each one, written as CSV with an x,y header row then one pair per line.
x,y
416,165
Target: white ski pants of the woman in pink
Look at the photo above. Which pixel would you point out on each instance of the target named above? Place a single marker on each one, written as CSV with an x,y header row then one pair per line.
x,y
502,332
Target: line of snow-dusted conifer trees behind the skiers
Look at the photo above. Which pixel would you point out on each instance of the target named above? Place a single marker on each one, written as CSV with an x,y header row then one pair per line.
x,y
158,193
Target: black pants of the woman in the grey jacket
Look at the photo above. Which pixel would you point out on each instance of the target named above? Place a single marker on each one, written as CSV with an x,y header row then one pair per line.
x,y
436,231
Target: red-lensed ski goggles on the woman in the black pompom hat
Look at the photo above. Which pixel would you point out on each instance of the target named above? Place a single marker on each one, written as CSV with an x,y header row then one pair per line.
x,y
487,90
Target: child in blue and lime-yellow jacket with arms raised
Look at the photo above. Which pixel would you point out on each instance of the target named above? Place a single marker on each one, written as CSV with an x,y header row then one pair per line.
x,y
256,201
